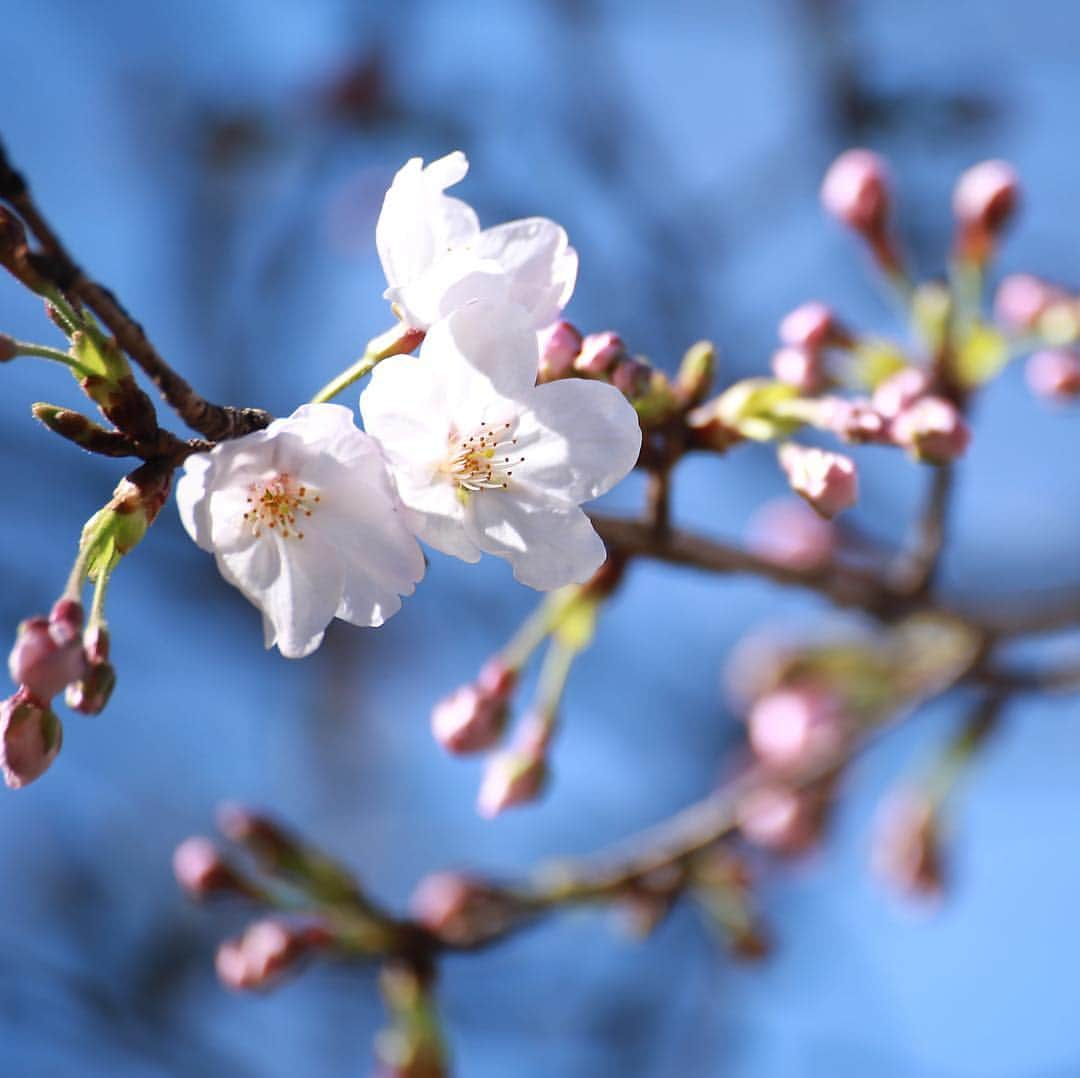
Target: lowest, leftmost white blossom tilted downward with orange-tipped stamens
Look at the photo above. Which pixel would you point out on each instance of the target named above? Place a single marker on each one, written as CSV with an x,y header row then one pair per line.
x,y
303,519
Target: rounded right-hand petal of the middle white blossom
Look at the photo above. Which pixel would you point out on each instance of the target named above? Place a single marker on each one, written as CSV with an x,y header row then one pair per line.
x,y
580,438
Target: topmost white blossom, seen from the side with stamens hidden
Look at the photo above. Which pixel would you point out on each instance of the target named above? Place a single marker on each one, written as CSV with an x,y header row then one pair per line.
x,y
437,259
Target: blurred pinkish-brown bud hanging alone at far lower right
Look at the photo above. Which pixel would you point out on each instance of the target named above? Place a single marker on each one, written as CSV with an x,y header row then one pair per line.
x,y
907,850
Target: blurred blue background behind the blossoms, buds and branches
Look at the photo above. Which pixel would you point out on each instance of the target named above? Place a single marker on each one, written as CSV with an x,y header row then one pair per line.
x,y
222,167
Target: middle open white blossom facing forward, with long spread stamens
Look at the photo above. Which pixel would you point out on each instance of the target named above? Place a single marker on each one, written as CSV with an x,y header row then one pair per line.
x,y
491,463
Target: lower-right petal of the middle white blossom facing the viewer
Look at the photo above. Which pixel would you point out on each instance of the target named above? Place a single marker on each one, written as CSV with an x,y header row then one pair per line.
x,y
548,544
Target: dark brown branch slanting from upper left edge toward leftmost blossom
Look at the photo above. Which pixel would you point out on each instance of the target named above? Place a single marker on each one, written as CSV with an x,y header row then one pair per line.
x,y
214,422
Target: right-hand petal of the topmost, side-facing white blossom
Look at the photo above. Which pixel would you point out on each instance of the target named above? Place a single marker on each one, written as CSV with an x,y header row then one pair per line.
x,y
543,267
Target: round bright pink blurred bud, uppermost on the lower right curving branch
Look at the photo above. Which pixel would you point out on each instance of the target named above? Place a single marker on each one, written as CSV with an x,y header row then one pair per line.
x,y
795,726
